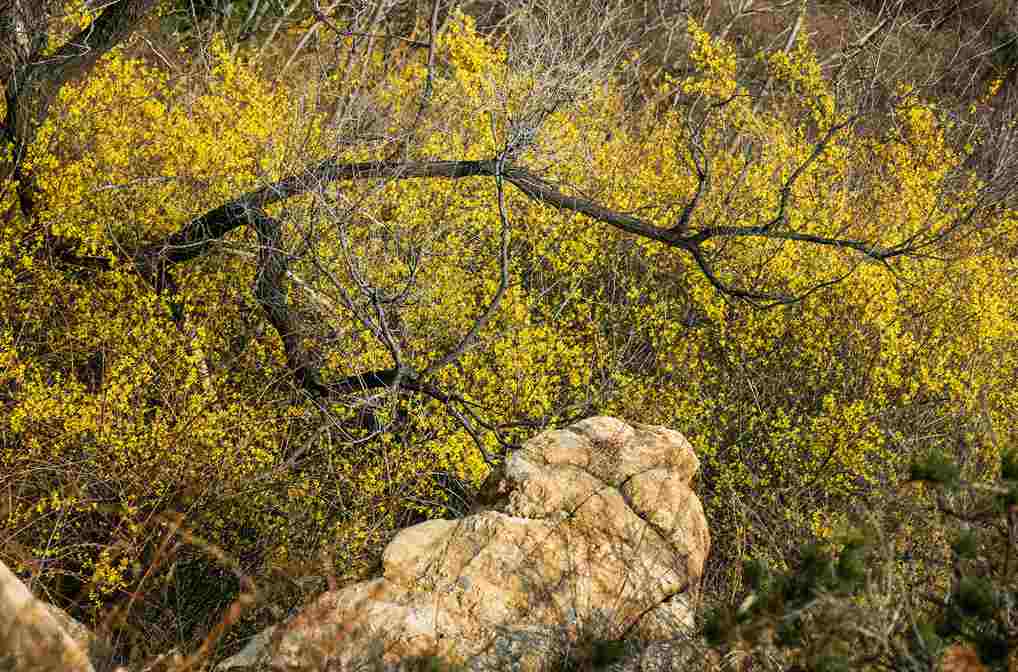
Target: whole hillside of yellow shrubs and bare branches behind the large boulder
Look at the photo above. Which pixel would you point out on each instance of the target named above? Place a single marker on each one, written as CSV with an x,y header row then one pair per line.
x,y
275,285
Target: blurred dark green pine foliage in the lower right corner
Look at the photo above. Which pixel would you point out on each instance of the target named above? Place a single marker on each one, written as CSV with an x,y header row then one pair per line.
x,y
827,609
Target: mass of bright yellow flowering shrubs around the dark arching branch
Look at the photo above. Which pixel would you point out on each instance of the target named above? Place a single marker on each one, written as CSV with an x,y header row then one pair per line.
x,y
795,411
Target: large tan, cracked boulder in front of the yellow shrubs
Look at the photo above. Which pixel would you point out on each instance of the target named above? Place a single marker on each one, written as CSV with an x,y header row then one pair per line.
x,y
587,533
